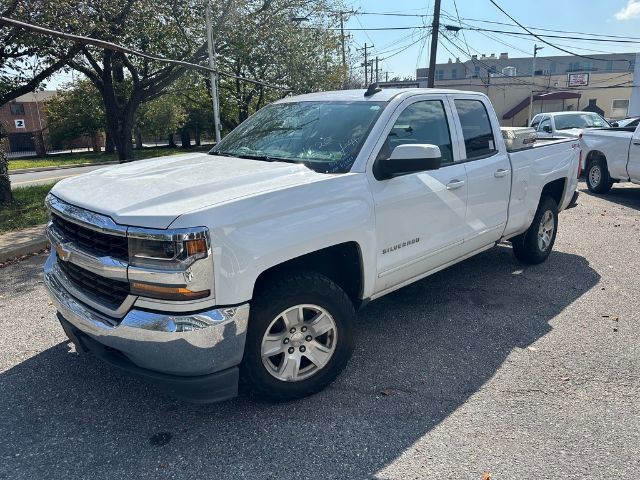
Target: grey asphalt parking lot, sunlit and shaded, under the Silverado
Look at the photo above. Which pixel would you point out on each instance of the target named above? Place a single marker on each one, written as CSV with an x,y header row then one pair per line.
x,y
487,367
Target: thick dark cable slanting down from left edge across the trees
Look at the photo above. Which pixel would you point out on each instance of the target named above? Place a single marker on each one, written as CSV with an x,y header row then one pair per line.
x,y
118,48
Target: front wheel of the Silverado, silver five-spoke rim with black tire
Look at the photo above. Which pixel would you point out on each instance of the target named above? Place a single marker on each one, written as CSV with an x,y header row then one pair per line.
x,y
299,337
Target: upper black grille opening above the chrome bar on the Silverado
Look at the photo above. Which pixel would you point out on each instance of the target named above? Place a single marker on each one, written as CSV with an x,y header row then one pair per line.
x,y
91,241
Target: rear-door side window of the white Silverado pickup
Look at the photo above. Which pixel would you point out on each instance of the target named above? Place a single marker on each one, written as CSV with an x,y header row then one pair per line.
x,y
476,128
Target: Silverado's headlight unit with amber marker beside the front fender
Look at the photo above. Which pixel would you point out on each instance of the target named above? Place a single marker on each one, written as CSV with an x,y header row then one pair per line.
x,y
163,263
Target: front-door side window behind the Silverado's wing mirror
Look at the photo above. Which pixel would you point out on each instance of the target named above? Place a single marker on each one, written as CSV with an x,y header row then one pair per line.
x,y
421,122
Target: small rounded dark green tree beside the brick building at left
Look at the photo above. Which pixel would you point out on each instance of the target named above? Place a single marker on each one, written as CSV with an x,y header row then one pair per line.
x,y
75,112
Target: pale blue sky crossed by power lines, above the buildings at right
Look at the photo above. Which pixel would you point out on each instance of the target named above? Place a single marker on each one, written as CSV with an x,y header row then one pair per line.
x,y
602,17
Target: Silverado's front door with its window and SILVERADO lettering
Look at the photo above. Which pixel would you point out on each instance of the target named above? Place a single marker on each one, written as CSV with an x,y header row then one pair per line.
x,y
420,217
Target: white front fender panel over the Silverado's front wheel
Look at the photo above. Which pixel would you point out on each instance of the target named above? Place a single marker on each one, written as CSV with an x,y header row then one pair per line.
x,y
256,233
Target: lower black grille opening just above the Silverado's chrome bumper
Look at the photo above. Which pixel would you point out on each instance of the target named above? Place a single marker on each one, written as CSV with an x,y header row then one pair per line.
x,y
110,293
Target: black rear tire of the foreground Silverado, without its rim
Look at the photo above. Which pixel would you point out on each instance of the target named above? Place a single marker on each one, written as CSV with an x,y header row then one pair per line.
x,y
526,246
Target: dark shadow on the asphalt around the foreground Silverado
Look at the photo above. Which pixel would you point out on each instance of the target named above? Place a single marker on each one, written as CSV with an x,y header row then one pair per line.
x,y
421,353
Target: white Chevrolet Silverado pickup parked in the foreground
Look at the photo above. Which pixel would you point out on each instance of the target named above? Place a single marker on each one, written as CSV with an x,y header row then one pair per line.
x,y
249,263
